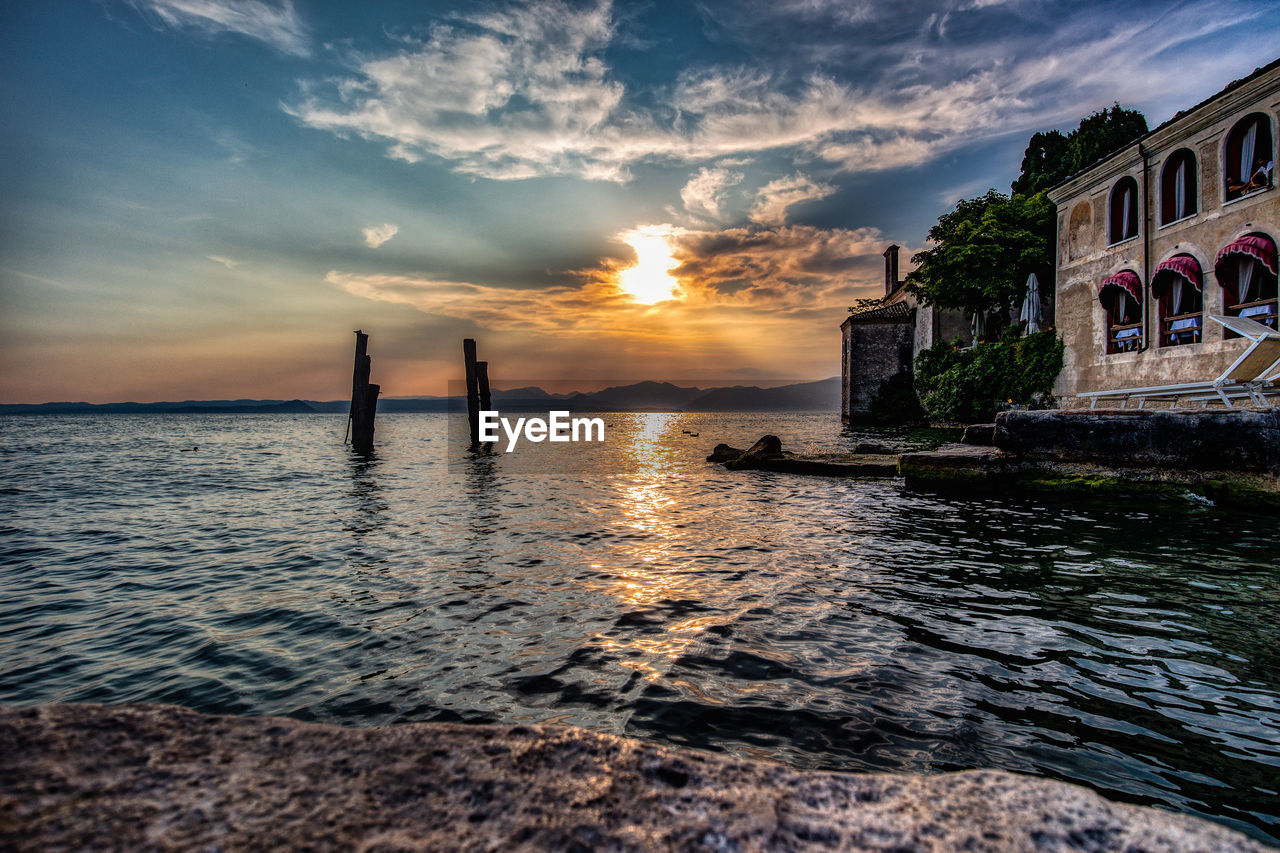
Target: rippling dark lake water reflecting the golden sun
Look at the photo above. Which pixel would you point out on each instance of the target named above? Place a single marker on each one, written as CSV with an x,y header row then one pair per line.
x,y
636,590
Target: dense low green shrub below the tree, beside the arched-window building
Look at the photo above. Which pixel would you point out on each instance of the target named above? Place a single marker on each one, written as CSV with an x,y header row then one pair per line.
x,y
968,386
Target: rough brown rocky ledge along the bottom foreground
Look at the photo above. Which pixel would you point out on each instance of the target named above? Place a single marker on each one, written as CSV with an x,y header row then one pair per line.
x,y
148,778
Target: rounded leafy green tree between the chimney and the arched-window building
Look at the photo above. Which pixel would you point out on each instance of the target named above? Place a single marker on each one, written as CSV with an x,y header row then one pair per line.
x,y
984,252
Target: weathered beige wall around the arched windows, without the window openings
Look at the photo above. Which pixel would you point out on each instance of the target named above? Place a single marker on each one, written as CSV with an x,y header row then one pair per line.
x,y
1086,259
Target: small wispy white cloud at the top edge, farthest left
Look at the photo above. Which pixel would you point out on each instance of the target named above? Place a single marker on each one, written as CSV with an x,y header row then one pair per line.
x,y
275,24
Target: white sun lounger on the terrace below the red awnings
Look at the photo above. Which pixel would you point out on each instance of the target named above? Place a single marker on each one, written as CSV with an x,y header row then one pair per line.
x,y
1252,377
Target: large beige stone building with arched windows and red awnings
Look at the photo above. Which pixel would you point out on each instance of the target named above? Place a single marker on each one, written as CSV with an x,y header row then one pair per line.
x,y
1181,225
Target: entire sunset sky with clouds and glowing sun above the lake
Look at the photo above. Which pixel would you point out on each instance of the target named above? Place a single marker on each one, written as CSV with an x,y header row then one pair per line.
x,y
203,199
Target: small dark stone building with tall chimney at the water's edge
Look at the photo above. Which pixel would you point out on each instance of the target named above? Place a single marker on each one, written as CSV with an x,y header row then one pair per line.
x,y
881,341
